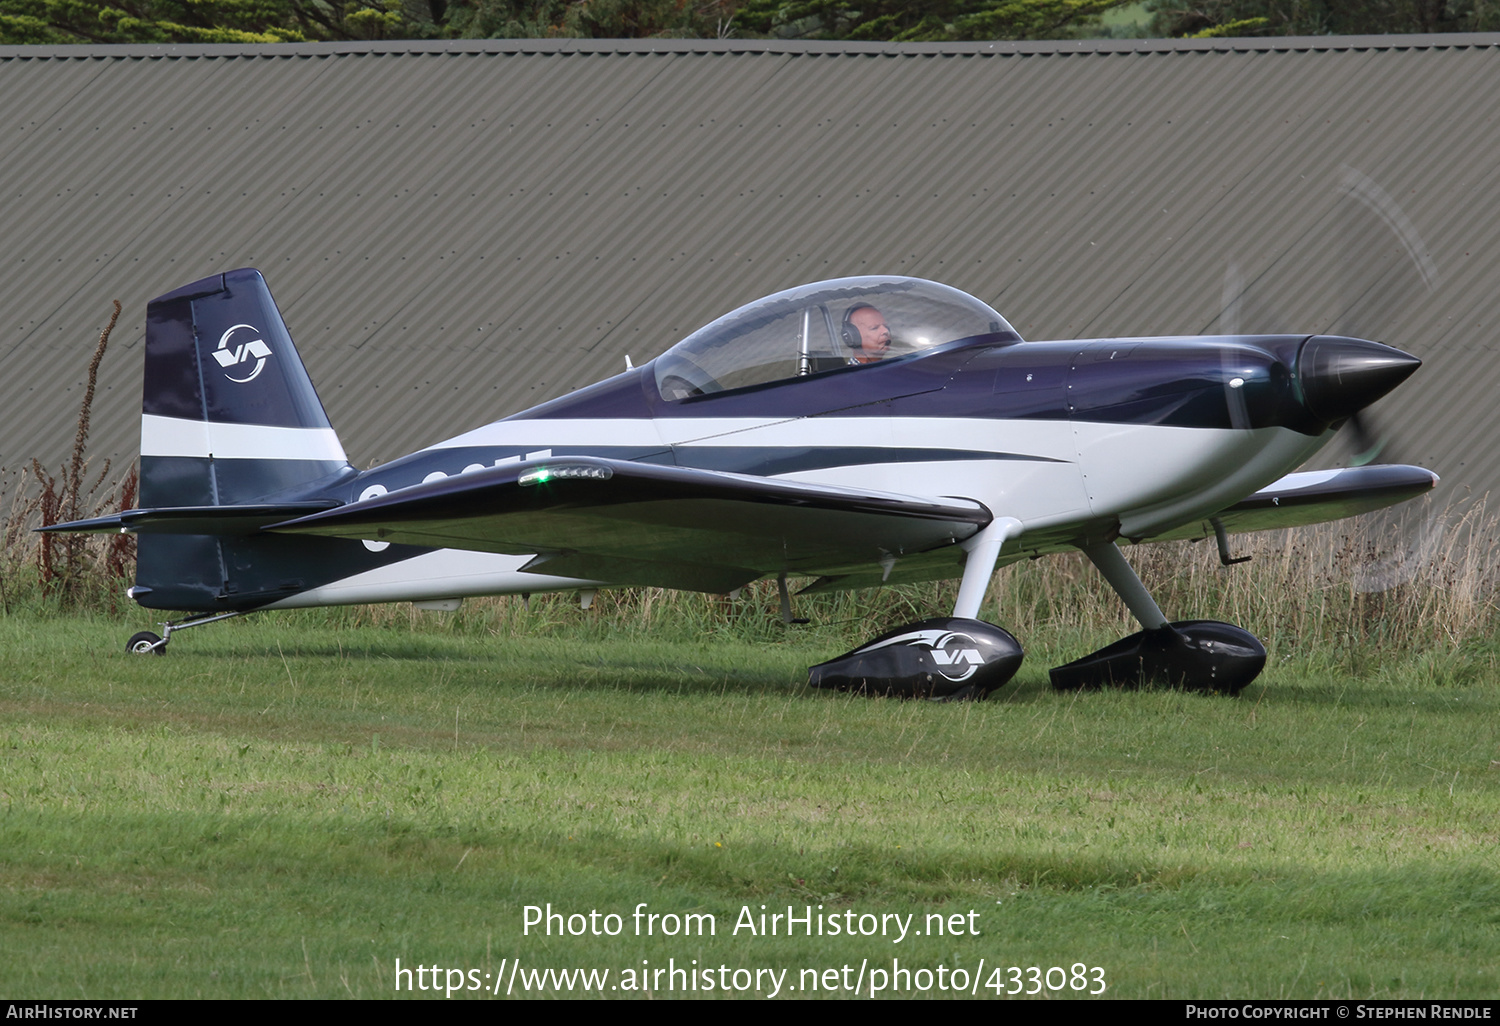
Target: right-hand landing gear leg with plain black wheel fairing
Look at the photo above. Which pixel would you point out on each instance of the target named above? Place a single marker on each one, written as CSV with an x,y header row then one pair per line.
x,y
1199,655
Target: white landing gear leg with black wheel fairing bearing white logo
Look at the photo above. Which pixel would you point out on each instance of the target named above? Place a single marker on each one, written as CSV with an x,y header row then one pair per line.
x,y
946,659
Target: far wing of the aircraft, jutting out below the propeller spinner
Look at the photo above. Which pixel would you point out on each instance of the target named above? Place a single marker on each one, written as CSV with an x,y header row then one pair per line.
x,y
1313,497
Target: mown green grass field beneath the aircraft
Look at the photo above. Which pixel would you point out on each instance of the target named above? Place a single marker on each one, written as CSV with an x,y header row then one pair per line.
x,y
290,805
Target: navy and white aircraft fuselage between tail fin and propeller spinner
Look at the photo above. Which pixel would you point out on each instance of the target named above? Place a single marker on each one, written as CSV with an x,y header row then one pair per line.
x,y
1079,440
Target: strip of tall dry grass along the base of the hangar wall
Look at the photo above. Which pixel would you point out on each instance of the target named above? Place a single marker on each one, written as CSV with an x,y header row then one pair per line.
x,y
1358,590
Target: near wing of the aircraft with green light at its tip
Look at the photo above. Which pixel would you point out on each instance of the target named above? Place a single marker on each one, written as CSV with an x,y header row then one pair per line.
x,y
647,524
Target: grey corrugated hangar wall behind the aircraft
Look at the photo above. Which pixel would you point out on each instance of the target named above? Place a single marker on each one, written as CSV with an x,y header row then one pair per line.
x,y
457,232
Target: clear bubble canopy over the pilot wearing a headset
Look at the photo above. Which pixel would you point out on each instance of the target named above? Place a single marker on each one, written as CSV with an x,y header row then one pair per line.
x,y
823,328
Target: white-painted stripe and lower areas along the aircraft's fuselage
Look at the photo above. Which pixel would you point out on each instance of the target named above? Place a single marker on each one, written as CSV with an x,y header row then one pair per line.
x,y
1040,479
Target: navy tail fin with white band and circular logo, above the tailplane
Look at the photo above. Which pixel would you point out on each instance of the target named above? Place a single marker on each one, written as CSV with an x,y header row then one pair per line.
x,y
230,415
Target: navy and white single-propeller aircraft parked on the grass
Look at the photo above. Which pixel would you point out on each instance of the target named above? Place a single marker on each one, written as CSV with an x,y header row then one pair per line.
x,y
859,431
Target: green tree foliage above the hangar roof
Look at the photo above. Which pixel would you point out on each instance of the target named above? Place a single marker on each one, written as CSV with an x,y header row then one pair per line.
x,y
250,22
